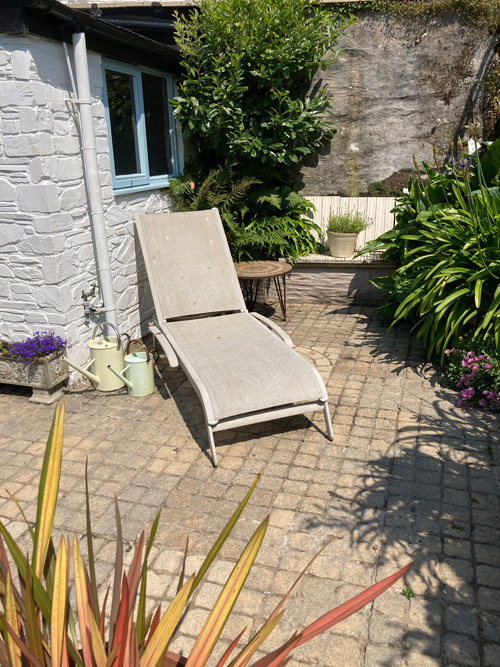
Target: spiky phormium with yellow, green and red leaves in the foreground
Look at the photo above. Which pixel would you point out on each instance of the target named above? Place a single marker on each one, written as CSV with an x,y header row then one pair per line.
x,y
38,625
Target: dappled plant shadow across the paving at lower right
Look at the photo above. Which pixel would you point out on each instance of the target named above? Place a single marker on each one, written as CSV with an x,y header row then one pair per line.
x,y
435,503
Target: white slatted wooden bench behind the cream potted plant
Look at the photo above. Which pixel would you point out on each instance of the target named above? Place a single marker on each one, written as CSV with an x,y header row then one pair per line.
x,y
377,209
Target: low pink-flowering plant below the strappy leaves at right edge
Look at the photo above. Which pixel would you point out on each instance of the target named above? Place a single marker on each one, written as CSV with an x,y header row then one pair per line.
x,y
474,369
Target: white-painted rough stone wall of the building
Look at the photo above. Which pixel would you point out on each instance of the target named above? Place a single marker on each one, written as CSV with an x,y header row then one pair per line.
x,y
46,247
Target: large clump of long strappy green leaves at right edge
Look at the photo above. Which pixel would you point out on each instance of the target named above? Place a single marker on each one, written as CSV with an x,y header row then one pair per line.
x,y
446,251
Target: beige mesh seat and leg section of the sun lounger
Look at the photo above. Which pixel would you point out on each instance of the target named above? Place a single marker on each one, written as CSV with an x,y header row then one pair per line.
x,y
244,367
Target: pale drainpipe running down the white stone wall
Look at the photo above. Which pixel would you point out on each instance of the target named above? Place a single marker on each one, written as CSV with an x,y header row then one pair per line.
x,y
92,178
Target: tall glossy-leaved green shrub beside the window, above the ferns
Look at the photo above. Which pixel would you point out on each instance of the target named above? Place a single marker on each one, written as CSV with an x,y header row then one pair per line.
x,y
247,68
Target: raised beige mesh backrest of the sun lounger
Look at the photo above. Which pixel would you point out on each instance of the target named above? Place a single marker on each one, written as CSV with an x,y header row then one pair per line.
x,y
189,265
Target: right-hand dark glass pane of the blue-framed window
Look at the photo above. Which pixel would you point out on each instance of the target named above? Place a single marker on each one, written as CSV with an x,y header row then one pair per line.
x,y
154,90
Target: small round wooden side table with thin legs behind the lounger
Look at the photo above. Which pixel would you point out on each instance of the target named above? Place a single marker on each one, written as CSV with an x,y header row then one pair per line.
x,y
250,275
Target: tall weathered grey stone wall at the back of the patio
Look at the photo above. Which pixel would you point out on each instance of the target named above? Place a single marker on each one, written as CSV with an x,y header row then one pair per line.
x,y
399,85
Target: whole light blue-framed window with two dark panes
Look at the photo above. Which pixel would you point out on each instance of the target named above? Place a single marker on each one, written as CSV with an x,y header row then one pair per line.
x,y
141,129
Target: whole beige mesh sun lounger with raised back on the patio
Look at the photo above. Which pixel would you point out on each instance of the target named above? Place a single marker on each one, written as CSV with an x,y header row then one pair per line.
x,y
241,365
